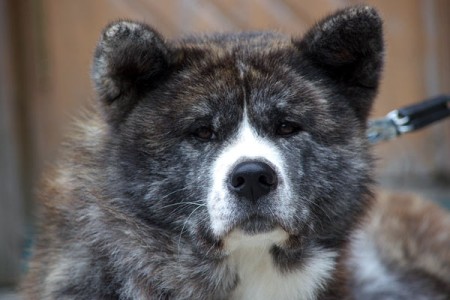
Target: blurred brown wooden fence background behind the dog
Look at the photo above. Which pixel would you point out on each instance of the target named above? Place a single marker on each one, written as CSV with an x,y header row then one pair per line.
x,y
45,53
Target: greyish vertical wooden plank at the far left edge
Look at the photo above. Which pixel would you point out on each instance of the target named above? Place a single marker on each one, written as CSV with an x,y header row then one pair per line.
x,y
11,197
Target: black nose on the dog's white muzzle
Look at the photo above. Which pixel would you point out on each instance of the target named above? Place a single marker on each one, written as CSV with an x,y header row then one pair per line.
x,y
253,179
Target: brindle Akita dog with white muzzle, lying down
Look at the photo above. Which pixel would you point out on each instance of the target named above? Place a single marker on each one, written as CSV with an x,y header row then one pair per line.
x,y
233,166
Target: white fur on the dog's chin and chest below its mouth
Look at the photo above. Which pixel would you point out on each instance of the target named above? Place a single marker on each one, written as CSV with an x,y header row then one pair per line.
x,y
259,278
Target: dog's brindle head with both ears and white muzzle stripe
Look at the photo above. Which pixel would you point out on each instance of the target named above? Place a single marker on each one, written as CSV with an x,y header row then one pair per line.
x,y
253,132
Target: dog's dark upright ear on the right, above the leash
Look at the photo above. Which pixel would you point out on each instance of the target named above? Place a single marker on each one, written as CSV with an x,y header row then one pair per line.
x,y
348,48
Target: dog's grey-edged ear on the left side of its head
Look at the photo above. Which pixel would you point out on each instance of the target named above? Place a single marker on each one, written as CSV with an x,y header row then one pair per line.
x,y
130,57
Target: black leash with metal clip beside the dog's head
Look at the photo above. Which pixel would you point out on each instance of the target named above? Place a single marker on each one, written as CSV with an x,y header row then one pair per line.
x,y
408,119
